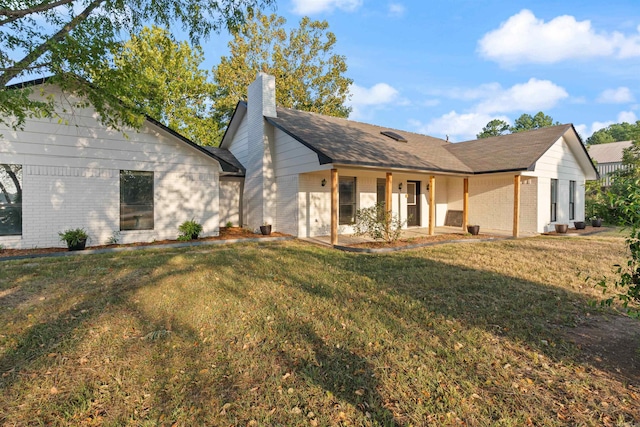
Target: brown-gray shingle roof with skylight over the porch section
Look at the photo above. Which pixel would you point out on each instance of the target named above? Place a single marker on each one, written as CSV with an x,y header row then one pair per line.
x,y
342,141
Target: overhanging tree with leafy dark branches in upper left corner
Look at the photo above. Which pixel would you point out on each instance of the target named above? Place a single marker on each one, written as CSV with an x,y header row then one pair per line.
x,y
72,40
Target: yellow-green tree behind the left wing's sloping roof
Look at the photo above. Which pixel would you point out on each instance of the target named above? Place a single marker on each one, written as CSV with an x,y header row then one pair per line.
x,y
166,83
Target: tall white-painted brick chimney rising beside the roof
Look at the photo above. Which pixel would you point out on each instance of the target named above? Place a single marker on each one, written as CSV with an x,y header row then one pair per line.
x,y
260,182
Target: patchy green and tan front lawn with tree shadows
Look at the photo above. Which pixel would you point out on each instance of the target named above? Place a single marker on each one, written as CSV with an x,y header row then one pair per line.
x,y
293,334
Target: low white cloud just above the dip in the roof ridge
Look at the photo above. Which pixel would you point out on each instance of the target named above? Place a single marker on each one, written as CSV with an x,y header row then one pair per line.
x,y
459,127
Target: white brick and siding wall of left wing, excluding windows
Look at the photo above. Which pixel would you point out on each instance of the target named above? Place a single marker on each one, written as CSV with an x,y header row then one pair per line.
x,y
71,178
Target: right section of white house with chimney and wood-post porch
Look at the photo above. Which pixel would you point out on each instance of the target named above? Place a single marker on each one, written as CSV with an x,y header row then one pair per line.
x,y
307,174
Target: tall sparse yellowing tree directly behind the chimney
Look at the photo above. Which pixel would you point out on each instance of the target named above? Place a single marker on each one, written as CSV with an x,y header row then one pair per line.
x,y
309,76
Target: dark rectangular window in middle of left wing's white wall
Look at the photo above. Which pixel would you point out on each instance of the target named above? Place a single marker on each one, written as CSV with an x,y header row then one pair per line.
x,y
136,200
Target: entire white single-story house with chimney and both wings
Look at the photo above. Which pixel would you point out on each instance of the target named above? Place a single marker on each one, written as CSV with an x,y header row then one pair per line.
x,y
305,174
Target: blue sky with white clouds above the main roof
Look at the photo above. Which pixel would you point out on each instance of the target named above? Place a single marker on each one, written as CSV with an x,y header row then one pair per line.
x,y
448,67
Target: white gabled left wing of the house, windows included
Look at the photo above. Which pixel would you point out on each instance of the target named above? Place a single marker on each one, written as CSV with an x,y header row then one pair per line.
x,y
79,173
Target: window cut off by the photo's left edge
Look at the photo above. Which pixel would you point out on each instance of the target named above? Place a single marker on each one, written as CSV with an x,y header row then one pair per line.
x,y
10,200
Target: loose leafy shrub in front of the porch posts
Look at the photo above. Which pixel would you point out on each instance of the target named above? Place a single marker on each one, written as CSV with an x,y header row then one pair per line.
x,y
378,223
